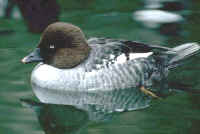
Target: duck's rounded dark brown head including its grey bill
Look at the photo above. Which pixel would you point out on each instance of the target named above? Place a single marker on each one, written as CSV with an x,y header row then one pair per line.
x,y
62,45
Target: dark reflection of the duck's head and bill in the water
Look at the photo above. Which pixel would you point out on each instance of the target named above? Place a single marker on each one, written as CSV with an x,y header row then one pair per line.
x,y
58,119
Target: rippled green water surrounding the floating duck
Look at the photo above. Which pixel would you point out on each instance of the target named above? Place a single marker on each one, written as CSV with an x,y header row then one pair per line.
x,y
175,114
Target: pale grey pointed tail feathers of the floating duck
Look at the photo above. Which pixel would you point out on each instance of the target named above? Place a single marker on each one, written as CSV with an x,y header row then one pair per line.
x,y
182,52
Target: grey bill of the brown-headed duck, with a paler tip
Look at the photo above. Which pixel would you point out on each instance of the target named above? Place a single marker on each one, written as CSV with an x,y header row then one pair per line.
x,y
33,57
